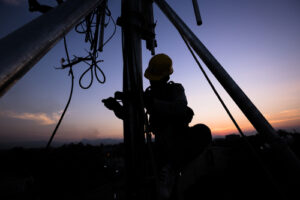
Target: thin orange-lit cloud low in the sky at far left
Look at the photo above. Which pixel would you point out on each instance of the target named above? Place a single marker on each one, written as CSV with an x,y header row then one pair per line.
x,y
41,118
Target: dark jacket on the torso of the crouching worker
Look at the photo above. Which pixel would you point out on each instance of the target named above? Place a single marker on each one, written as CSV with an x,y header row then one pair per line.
x,y
168,109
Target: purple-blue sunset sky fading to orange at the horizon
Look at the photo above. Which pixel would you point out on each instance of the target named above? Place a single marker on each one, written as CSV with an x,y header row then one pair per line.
x,y
256,41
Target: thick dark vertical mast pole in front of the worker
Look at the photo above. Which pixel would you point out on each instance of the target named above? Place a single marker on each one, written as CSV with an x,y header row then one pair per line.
x,y
133,103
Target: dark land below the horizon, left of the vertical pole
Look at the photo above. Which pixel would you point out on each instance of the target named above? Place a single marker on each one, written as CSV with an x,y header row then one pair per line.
x,y
72,171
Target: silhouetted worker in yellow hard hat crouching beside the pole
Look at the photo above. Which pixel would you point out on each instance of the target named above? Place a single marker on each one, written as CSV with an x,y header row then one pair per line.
x,y
175,142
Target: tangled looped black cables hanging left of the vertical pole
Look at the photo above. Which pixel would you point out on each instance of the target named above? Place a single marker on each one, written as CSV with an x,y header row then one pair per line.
x,y
93,27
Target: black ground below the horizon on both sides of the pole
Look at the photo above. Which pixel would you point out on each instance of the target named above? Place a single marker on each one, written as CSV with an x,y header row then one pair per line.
x,y
78,171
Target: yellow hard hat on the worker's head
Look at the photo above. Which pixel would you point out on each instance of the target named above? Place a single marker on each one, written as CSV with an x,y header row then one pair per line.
x,y
159,67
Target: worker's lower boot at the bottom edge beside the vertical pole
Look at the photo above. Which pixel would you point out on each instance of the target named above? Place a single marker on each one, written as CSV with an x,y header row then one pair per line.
x,y
166,182
